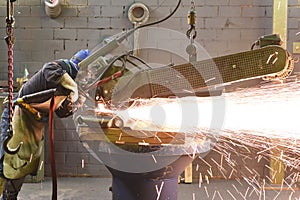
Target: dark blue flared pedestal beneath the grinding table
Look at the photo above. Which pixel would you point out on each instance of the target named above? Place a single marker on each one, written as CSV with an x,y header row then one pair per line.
x,y
159,184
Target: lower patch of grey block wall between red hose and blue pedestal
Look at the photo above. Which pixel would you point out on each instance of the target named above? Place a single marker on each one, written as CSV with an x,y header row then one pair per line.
x,y
72,159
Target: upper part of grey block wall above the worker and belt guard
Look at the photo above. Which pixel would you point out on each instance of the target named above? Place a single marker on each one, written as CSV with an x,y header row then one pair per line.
x,y
223,27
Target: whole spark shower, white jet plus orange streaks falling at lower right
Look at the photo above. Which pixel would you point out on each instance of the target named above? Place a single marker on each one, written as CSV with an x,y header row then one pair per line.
x,y
259,123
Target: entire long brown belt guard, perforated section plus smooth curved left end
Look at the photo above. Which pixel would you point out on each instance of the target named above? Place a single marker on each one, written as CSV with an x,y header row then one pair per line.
x,y
182,80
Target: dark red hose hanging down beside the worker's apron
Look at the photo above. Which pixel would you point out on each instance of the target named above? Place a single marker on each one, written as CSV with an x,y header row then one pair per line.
x,y
52,157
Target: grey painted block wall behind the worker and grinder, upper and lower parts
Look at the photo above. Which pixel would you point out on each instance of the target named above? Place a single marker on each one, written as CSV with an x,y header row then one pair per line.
x,y
223,26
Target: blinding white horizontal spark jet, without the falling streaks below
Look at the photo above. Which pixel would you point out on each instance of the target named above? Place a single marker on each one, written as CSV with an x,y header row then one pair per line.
x,y
266,110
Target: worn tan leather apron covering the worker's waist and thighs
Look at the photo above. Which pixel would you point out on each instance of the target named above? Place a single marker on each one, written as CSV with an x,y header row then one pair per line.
x,y
30,133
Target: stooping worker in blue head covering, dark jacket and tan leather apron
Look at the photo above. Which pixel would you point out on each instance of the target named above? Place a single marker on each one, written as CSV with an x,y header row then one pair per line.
x,y
27,130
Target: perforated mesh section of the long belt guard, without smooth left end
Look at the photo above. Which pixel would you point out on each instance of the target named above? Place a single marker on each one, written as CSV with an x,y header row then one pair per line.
x,y
244,65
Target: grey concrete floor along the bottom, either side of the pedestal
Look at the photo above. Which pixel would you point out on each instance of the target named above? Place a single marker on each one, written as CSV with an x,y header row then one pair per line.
x,y
70,188
